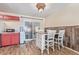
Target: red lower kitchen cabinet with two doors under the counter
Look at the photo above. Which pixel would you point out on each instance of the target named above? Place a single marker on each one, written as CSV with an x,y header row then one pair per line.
x,y
10,39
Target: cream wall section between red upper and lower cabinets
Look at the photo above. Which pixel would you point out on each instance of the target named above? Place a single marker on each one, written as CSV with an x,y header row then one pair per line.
x,y
9,24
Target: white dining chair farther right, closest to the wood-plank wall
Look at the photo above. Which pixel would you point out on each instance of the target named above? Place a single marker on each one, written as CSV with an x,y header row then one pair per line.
x,y
59,40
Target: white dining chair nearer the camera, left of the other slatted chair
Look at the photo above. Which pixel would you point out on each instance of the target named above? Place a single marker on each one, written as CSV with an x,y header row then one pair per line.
x,y
50,39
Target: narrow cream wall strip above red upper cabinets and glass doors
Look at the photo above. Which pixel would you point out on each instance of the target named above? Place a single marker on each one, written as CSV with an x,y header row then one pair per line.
x,y
25,16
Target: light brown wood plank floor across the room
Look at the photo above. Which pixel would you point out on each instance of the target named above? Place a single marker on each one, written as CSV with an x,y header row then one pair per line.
x,y
30,49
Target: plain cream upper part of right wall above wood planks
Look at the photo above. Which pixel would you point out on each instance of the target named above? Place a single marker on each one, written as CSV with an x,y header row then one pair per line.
x,y
66,17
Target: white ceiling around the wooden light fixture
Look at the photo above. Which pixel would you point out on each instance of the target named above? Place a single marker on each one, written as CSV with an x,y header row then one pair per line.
x,y
30,9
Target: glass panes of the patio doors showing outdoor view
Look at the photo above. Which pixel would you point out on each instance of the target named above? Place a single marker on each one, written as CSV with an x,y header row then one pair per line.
x,y
30,30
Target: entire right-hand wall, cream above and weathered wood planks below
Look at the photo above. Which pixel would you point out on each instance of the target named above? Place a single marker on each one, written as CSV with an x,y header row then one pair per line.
x,y
66,19
